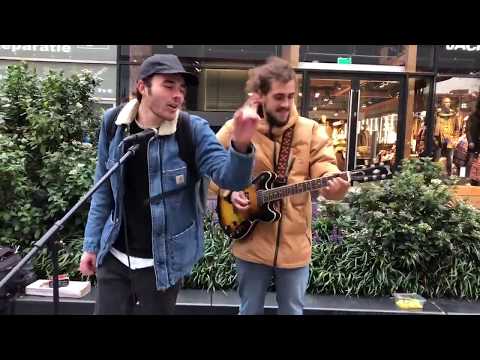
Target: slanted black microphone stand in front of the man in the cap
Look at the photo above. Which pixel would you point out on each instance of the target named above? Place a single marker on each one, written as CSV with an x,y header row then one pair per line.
x,y
52,245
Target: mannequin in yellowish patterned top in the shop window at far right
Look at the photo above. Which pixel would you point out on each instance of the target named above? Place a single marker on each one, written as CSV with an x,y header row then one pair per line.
x,y
447,132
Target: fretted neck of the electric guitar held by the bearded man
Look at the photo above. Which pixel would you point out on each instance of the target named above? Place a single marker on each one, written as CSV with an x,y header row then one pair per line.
x,y
293,189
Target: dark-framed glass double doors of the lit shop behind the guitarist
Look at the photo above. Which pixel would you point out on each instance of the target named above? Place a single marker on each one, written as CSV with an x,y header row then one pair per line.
x,y
360,114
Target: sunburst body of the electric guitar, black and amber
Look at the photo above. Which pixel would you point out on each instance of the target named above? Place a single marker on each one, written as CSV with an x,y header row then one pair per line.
x,y
238,224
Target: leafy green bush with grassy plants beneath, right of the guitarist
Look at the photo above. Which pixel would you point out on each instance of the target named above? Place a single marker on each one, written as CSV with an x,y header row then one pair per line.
x,y
405,234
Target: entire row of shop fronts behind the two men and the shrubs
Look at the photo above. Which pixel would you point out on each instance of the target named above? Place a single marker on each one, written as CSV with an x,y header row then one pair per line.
x,y
379,103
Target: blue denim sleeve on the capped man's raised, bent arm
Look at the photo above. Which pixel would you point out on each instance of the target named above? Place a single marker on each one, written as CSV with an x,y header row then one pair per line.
x,y
227,168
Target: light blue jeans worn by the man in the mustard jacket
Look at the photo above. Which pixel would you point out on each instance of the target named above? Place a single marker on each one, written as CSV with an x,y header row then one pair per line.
x,y
254,280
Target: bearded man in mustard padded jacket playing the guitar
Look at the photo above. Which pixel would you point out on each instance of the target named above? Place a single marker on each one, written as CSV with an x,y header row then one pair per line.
x,y
281,249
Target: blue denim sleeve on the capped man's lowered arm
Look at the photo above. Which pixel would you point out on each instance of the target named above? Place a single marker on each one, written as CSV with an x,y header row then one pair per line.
x,y
102,200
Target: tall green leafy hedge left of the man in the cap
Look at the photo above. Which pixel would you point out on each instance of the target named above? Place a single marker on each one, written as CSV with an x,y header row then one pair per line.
x,y
44,165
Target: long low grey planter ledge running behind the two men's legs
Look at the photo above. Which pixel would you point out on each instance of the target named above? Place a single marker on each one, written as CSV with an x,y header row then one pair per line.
x,y
201,302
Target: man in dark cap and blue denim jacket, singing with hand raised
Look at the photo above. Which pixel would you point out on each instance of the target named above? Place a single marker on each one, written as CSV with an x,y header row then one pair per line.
x,y
141,249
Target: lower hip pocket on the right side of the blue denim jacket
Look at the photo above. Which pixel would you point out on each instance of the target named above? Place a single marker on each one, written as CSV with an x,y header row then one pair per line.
x,y
184,248
